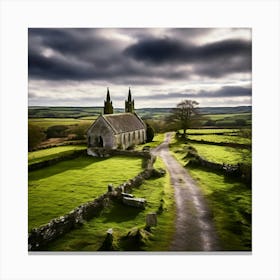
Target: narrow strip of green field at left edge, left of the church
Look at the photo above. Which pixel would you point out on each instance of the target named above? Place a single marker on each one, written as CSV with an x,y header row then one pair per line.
x,y
51,153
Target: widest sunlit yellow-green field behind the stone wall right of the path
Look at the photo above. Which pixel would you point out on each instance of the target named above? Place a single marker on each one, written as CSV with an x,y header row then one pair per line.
x,y
221,154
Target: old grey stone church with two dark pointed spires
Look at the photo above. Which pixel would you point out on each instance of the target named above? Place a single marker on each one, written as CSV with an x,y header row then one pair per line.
x,y
117,131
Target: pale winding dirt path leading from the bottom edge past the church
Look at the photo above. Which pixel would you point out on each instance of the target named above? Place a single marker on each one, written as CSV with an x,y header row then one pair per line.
x,y
194,227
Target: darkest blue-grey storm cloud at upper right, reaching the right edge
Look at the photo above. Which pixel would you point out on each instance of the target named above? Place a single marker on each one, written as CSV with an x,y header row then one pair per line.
x,y
229,56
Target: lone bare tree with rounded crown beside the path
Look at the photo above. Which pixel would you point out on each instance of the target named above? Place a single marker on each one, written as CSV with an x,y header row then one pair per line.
x,y
184,114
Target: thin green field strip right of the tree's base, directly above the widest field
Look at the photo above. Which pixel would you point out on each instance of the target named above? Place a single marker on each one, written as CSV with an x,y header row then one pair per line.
x,y
221,138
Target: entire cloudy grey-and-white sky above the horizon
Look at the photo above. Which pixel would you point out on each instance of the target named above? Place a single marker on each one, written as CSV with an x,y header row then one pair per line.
x,y
74,67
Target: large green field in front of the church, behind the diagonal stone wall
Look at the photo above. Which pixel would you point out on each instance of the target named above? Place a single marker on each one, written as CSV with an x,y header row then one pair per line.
x,y
53,191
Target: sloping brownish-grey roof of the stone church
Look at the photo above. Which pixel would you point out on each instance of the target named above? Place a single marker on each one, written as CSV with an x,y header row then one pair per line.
x,y
124,122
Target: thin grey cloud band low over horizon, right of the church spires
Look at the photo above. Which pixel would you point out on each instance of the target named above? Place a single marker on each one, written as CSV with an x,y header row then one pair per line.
x,y
227,91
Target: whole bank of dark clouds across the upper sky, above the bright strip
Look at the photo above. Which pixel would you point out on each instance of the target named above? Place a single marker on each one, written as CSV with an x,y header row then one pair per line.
x,y
87,54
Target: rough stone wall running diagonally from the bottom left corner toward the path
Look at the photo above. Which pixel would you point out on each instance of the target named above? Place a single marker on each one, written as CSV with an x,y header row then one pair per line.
x,y
40,237
